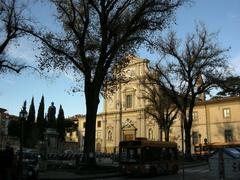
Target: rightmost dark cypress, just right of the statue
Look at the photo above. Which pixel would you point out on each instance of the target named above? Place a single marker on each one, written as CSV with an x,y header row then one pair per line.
x,y
60,124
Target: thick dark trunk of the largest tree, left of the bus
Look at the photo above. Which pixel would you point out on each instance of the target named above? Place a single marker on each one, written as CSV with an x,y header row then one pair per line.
x,y
92,101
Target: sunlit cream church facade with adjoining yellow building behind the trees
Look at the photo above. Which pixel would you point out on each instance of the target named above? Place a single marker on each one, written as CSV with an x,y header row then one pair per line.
x,y
124,117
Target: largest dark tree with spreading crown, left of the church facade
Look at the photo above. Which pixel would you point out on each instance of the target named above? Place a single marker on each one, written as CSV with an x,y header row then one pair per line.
x,y
95,36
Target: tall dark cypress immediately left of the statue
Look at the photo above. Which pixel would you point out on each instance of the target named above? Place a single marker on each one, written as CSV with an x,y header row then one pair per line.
x,y
41,121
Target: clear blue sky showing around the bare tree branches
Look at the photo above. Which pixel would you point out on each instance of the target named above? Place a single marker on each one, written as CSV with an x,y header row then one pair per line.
x,y
221,16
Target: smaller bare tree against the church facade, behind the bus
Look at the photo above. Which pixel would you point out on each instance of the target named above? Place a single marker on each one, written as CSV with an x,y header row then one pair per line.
x,y
158,106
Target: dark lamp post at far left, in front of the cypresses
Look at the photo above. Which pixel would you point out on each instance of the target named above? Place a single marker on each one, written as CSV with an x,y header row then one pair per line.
x,y
22,116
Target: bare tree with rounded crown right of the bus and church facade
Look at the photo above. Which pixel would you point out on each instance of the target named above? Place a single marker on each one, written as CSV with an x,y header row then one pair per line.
x,y
191,68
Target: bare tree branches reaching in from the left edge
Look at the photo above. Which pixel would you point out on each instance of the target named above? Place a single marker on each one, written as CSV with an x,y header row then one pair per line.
x,y
12,24
